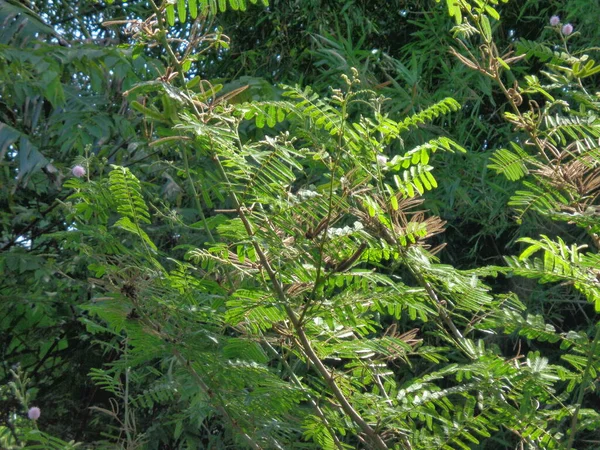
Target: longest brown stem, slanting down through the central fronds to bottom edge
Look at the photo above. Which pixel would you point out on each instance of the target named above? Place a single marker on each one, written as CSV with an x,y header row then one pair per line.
x,y
372,435
